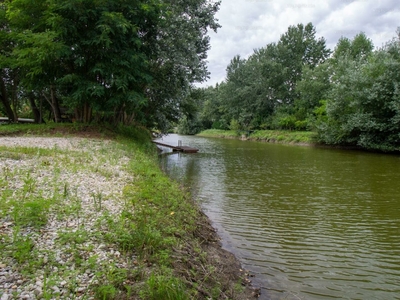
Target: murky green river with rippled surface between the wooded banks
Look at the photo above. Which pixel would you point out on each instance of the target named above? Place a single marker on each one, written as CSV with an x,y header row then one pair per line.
x,y
310,223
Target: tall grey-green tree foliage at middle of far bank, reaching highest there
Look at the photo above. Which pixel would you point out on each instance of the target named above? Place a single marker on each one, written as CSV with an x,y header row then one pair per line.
x,y
256,87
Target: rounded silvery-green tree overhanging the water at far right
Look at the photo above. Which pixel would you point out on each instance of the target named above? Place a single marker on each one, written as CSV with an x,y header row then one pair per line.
x,y
363,105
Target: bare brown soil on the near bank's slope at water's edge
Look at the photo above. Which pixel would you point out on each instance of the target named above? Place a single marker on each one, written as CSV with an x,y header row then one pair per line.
x,y
235,282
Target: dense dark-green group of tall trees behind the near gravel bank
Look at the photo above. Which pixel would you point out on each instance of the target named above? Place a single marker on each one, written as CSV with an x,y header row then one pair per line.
x,y
110,61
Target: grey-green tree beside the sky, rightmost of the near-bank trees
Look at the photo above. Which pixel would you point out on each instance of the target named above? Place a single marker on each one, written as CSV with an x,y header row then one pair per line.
x,y
179,56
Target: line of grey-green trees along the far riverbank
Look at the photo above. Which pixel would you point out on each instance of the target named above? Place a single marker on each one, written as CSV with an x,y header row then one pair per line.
x,y
348,96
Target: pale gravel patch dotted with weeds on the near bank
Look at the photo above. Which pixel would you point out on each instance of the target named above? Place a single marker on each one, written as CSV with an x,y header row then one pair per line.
x,y
78,198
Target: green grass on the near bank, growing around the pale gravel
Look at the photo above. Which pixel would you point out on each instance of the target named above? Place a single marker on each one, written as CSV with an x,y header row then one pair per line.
x,y
169,249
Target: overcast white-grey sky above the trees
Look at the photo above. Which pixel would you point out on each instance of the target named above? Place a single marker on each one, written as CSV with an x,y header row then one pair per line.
x,y
251,24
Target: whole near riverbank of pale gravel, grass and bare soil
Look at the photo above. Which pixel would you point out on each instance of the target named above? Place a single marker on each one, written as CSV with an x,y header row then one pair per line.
x,y
88,214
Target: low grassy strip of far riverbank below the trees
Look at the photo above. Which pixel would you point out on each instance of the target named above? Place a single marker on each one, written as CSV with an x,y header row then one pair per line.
x,y
272,136
